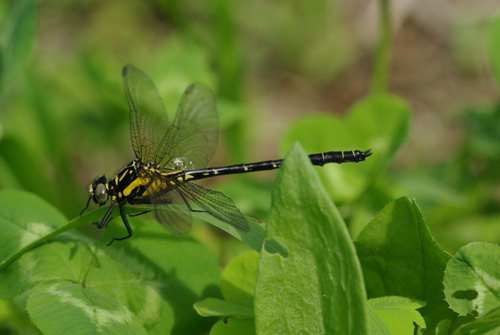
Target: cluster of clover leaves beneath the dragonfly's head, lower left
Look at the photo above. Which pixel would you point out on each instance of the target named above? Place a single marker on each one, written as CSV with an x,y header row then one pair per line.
x,y
147,286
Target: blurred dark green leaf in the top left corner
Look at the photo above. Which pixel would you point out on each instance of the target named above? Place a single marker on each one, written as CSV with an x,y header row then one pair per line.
x,y
17,37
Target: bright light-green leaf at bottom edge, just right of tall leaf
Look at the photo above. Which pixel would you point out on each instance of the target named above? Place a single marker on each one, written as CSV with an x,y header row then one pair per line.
x,y
398,313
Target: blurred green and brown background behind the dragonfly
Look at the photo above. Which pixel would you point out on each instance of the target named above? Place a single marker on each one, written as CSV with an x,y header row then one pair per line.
x,y
274,66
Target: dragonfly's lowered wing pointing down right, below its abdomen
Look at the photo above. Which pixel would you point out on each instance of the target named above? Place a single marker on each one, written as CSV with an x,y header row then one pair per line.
x,y
215,203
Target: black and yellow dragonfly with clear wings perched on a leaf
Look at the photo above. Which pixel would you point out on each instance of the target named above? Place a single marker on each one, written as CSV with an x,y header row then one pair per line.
x,y
169,157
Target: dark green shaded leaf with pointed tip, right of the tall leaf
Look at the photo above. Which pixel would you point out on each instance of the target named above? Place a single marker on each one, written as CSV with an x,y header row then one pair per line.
x,y
400,257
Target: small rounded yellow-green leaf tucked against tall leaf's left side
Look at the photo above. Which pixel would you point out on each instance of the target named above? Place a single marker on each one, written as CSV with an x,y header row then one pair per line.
x,y
238,279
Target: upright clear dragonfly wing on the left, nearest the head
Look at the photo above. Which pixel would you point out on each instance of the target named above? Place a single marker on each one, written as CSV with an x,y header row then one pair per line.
x,y
148,117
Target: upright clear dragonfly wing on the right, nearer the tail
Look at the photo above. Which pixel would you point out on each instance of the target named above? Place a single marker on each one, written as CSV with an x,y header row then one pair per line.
x,y
191,141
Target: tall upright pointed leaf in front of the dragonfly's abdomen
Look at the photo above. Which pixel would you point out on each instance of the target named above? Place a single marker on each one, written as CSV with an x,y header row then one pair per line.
x,y
318,288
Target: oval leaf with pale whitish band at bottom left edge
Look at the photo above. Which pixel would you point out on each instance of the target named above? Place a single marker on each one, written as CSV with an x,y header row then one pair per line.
x,y
67,308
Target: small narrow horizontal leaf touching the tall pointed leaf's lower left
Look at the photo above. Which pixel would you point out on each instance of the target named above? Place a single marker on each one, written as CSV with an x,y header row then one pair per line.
x,y
219,307
